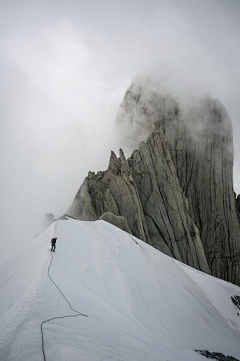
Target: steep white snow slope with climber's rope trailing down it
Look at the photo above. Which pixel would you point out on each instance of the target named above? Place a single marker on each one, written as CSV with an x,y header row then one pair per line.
x,y
141,304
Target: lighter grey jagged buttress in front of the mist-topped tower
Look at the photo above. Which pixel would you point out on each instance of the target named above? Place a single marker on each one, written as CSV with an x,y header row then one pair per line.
x,y
145,190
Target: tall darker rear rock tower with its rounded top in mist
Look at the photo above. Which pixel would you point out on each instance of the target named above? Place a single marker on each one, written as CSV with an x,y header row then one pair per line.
x,y
199,136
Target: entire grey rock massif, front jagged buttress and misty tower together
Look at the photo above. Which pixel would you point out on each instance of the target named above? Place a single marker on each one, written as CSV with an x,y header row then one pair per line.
x,y
176,189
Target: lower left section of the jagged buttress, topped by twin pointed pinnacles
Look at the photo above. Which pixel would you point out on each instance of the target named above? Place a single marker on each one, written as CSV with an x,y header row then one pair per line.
x,y
115,191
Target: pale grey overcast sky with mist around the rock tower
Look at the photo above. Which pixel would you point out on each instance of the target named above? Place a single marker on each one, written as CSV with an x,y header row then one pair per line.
x,y
65,66
